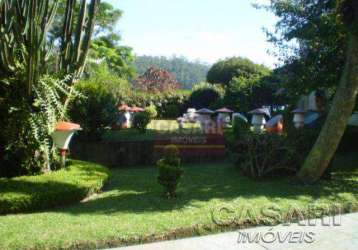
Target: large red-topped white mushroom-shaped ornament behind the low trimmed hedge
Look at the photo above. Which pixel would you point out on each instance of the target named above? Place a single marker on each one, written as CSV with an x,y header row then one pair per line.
x,y
62,136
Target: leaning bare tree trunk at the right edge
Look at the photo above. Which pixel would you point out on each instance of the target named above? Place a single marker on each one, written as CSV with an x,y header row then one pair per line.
x,y
342,107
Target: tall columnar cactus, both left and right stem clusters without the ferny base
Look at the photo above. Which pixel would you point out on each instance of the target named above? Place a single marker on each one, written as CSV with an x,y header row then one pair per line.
x,y
23,37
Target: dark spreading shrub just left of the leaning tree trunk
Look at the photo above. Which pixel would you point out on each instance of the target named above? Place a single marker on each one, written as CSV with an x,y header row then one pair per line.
x,y
267,155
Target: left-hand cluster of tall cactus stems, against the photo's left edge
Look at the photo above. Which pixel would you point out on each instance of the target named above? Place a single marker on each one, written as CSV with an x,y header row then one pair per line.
x,y
23,28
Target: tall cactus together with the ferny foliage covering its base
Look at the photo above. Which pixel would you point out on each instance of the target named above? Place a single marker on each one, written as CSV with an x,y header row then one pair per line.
x,y
32,102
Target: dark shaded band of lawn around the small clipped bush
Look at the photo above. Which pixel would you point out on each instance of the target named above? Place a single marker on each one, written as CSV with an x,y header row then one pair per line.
x,y
136,190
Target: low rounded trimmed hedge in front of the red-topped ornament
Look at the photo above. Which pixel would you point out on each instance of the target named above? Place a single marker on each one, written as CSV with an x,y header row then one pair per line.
x,y
63,187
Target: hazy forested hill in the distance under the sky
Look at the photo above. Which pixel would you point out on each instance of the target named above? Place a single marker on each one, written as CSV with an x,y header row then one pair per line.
x,y
186,72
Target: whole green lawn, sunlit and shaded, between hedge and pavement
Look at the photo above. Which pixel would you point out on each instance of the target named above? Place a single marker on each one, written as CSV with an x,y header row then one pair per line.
x,y
131,208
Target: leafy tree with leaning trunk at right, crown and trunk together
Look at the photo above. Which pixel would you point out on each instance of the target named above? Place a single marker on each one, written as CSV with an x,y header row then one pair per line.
x,y
326,38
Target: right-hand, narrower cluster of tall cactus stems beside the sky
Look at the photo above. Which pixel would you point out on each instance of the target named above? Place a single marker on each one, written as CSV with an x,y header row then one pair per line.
x,y
75,44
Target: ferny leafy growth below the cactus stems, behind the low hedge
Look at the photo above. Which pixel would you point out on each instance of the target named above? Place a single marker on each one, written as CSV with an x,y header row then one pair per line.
x,y
25,134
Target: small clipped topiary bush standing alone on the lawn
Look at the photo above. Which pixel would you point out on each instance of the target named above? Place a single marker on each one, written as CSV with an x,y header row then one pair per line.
x,y
170,171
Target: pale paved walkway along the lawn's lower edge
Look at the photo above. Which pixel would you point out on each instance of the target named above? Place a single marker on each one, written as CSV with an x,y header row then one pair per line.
x,y
328,236
